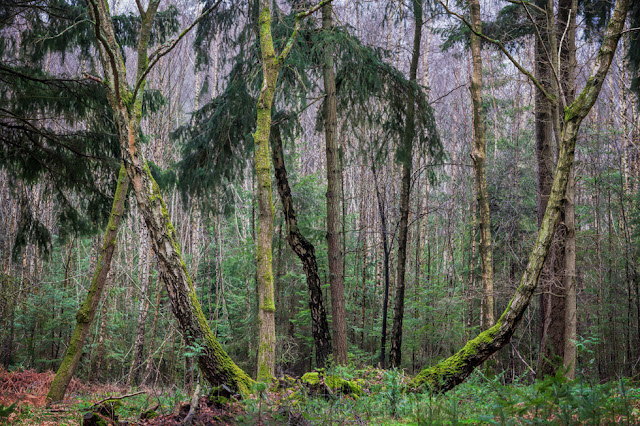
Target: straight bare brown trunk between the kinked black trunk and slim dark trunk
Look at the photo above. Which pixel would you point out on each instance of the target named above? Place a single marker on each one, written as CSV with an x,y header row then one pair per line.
x,y
334,185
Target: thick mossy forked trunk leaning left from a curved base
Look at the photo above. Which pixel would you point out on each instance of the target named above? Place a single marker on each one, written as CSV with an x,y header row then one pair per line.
x,y
215,364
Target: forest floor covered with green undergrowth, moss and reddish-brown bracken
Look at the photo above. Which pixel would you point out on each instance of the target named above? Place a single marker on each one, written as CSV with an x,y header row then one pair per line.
x,y
381,400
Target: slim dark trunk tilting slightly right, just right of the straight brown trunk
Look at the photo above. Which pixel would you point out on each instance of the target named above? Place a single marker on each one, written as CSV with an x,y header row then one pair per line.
x,y
395,353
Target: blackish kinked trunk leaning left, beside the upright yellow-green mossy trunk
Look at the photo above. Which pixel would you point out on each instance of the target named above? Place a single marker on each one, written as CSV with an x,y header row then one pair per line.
x,y
306,252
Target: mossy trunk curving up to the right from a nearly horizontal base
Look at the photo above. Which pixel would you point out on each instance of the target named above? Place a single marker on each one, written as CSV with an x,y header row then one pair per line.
x,y
455,369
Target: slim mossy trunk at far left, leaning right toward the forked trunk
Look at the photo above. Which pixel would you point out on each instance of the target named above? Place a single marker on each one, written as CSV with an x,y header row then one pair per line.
x,y
87,311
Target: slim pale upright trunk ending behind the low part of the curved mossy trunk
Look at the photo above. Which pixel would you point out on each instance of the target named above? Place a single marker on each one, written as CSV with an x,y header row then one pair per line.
x,y
478,157
